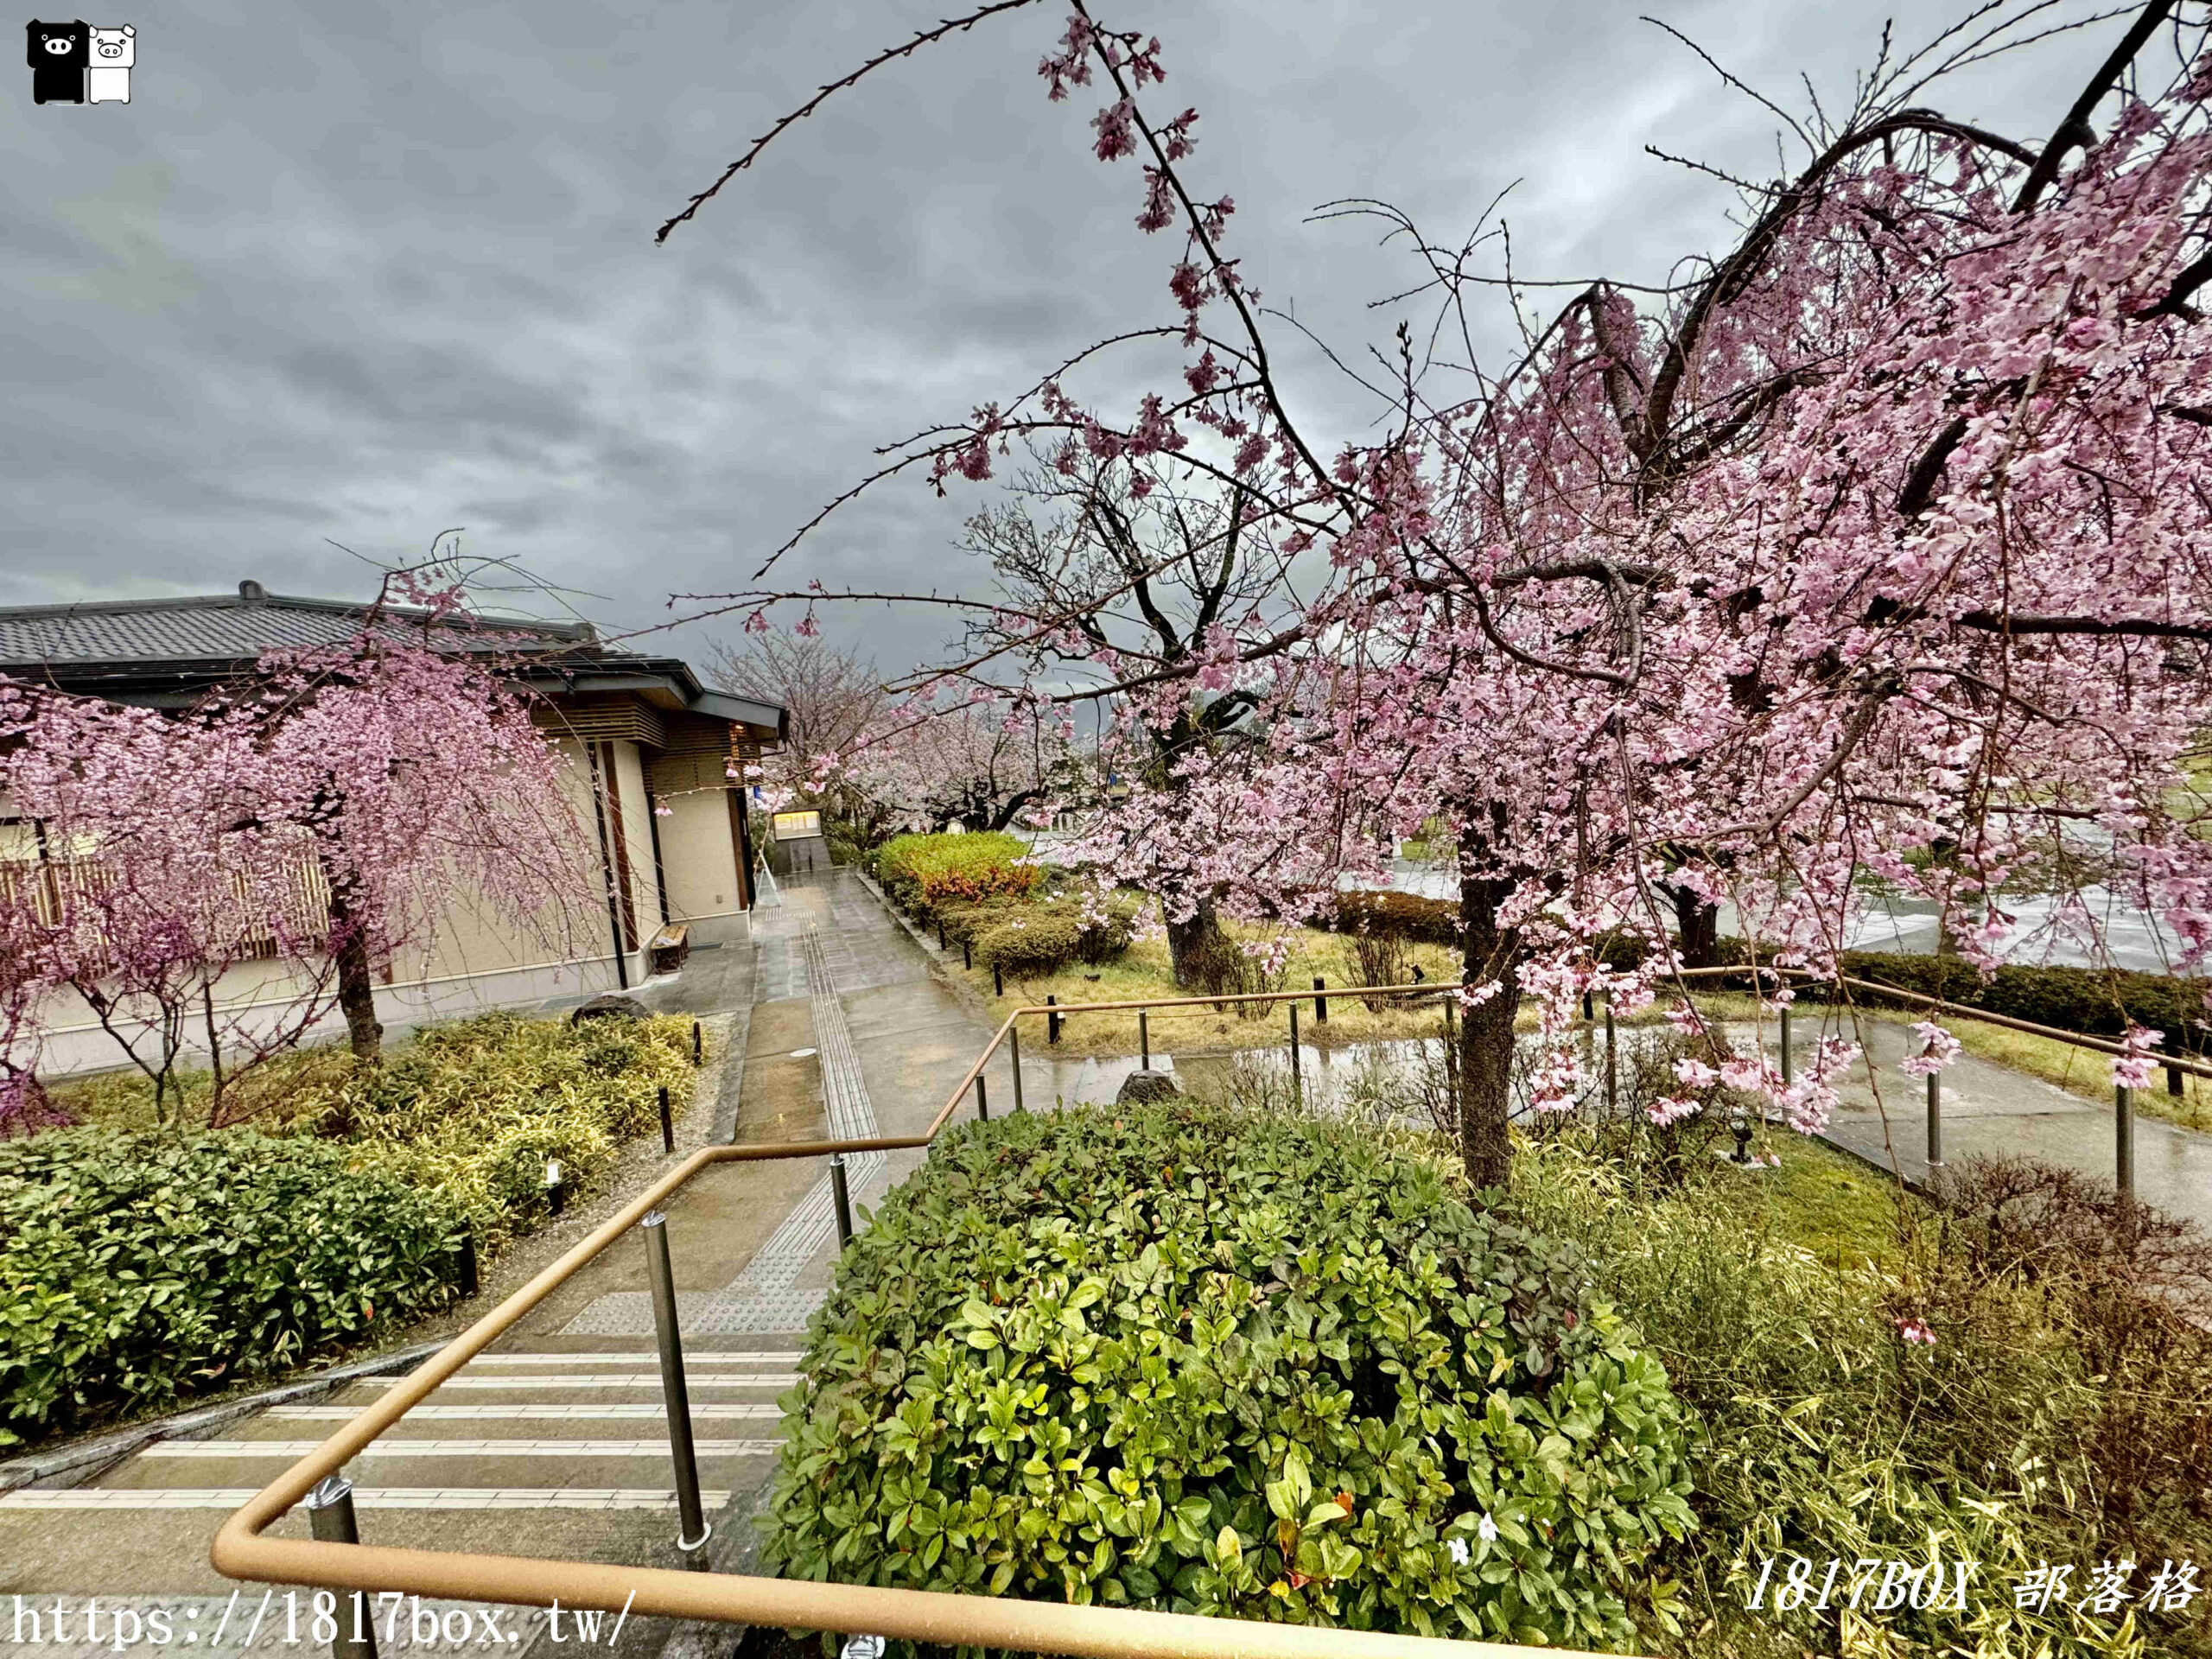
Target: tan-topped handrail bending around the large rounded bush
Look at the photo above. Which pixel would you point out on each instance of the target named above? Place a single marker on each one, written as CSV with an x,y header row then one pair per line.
x,y
247,1552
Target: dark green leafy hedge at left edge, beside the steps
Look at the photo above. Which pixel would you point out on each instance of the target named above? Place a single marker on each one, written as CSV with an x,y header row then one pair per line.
x,y
138,1269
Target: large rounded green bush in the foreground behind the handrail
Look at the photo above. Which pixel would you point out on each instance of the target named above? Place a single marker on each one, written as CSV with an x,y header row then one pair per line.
x,y
1224,1364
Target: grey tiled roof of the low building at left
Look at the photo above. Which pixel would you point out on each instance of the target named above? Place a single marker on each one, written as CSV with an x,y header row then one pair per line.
x,y
225,627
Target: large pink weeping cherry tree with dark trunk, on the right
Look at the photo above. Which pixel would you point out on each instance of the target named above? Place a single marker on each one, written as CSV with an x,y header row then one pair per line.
x,y
1872,547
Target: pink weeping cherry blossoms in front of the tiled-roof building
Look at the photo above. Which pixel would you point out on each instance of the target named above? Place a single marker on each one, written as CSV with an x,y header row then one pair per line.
x,y
326,811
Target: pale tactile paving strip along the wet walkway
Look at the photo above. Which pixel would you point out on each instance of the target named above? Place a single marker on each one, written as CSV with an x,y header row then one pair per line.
x,y
766,1295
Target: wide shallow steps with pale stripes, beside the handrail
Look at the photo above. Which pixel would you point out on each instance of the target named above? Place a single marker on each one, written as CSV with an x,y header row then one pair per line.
x,y
554,1448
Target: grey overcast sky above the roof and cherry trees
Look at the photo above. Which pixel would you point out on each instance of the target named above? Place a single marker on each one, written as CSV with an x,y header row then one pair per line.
x,y
359,273
